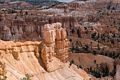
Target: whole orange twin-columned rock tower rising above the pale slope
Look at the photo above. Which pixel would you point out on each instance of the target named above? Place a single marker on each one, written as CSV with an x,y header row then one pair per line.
x,y
55,45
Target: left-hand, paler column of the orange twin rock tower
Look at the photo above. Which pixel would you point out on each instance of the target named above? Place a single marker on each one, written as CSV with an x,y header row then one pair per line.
x,y
47,52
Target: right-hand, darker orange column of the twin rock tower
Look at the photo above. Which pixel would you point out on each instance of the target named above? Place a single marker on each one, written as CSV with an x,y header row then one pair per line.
x,y
62,44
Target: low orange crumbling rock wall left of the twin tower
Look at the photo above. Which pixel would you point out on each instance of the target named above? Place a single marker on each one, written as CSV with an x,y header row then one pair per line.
x,y
16,48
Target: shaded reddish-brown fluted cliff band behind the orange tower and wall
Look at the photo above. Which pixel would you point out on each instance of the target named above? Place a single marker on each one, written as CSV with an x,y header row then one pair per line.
x,y
28,27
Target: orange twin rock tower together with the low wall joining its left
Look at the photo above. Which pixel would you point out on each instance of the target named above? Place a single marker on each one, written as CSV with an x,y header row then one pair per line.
x,y
54,47
